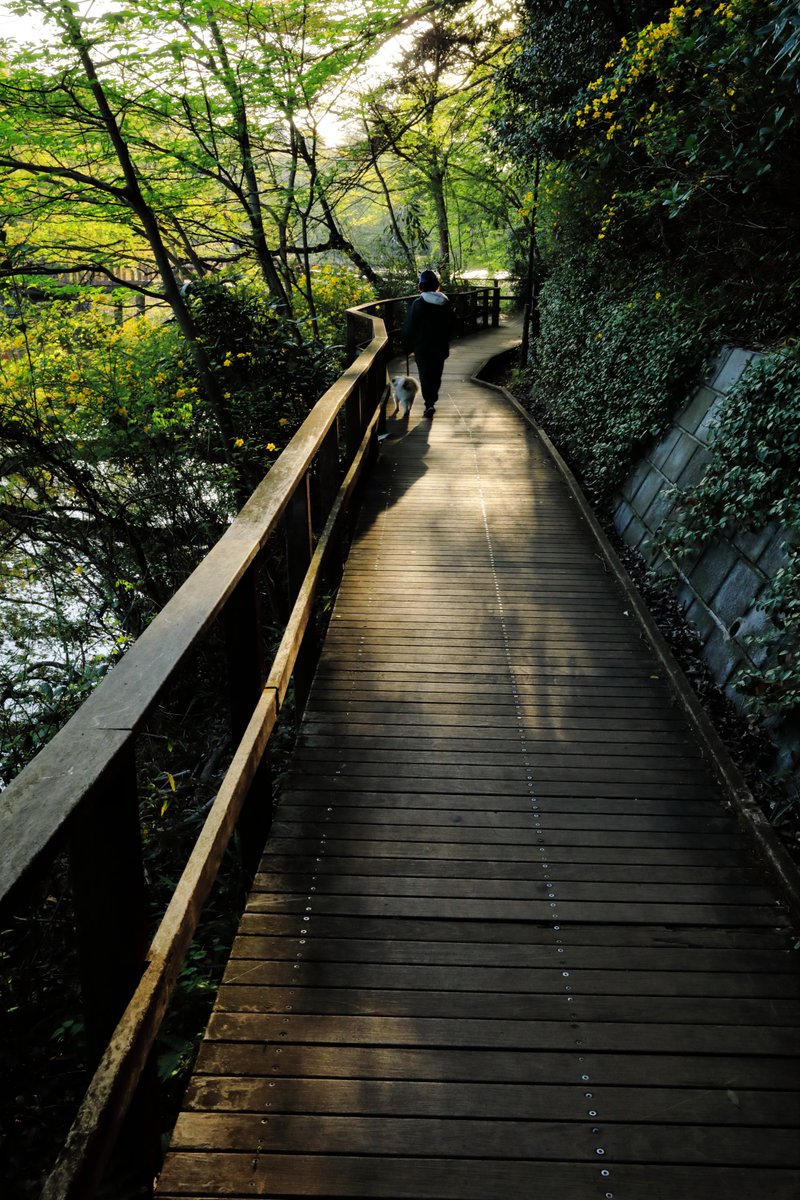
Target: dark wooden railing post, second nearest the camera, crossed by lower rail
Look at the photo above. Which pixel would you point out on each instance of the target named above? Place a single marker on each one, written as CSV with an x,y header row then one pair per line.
x,y
246,676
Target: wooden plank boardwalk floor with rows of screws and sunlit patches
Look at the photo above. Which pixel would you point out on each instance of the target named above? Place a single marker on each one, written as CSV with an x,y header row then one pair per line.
x,y
507,941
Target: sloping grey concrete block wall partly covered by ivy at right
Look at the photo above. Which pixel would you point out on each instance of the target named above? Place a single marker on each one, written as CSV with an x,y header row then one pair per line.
x,y
720,587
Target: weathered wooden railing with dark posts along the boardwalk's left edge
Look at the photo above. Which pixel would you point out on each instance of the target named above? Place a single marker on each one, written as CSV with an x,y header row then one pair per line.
x,y
80,794
